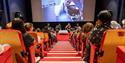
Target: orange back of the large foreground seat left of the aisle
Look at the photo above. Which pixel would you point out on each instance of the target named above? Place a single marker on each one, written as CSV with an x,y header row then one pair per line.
x,y
14,38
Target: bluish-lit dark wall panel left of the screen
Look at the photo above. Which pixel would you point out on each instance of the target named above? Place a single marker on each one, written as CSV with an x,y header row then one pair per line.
x,y
16,6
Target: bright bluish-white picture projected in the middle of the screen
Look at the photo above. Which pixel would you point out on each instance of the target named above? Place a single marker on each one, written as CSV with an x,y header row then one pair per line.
x,y
62,10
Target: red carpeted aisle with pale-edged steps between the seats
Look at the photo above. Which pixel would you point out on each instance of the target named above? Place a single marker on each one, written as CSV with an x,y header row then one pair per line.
x,y
62,52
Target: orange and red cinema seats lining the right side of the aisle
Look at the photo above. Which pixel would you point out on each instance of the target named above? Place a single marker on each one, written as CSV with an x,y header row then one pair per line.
x,y
110,41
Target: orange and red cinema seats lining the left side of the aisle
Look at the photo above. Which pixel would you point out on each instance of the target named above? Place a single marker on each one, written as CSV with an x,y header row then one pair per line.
x,y
19,53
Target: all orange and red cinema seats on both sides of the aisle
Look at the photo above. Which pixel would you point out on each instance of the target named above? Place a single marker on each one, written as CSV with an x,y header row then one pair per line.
x,y
111,39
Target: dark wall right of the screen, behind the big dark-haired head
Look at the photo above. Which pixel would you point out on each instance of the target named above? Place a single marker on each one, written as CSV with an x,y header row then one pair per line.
x,y
116,6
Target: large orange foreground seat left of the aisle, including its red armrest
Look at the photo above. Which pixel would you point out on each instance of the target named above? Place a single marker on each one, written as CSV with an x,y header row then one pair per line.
x,y
15,39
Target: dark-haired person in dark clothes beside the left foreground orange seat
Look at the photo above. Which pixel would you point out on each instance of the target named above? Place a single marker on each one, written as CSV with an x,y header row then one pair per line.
x,y
28,40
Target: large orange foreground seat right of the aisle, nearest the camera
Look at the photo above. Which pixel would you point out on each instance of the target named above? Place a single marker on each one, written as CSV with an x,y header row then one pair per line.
x,y
112,39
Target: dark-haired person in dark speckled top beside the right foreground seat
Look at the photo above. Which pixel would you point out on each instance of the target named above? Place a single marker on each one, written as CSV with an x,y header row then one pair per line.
x,y
103,19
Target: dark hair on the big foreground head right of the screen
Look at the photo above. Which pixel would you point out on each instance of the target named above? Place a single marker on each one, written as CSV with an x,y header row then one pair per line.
x,y
105,16
